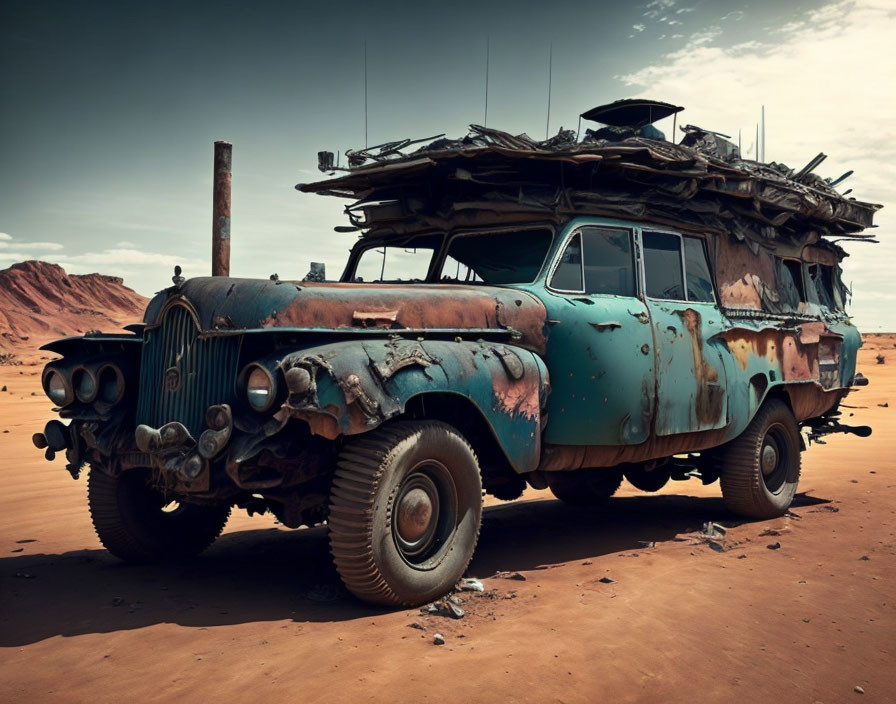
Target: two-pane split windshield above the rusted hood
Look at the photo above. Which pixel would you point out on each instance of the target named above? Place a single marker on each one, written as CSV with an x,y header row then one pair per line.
x,y
490,258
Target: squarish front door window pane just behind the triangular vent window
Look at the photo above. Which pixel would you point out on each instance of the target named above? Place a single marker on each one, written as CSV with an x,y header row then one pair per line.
x,y
609,266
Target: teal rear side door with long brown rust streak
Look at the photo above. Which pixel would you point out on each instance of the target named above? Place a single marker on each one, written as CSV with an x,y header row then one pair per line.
x,y
691,386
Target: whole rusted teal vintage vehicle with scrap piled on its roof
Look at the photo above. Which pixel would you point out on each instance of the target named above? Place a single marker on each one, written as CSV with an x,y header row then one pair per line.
x,y
560,314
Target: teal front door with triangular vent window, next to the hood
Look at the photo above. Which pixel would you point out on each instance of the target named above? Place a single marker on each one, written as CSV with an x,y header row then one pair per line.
x,y
600,347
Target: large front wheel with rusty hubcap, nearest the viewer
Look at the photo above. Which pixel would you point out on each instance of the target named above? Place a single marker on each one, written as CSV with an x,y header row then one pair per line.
x,y
405,511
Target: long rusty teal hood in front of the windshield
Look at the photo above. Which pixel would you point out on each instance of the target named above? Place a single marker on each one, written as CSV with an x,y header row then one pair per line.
x,y
224,304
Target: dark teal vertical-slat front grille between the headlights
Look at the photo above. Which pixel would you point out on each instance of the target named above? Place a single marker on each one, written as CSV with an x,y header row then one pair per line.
x,y
181,374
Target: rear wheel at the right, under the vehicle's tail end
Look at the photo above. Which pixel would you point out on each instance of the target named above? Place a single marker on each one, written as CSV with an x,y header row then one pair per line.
x,y
760,470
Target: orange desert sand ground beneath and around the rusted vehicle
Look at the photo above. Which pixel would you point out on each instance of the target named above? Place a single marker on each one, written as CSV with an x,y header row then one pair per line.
x,y
261,616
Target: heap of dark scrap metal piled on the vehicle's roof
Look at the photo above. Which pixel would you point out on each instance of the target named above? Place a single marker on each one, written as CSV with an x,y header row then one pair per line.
x,y
489,175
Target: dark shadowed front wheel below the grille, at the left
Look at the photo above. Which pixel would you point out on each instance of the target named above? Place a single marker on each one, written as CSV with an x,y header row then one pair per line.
x,y
138,524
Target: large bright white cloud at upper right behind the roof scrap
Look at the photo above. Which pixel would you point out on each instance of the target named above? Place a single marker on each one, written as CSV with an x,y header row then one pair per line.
x,y
827,86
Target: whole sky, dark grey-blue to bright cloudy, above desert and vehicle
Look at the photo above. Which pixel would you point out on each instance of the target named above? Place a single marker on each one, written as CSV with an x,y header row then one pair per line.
x,y
109,110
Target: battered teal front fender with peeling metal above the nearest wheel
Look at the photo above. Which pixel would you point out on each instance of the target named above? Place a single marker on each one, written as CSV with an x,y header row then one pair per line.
x,y
346,388
